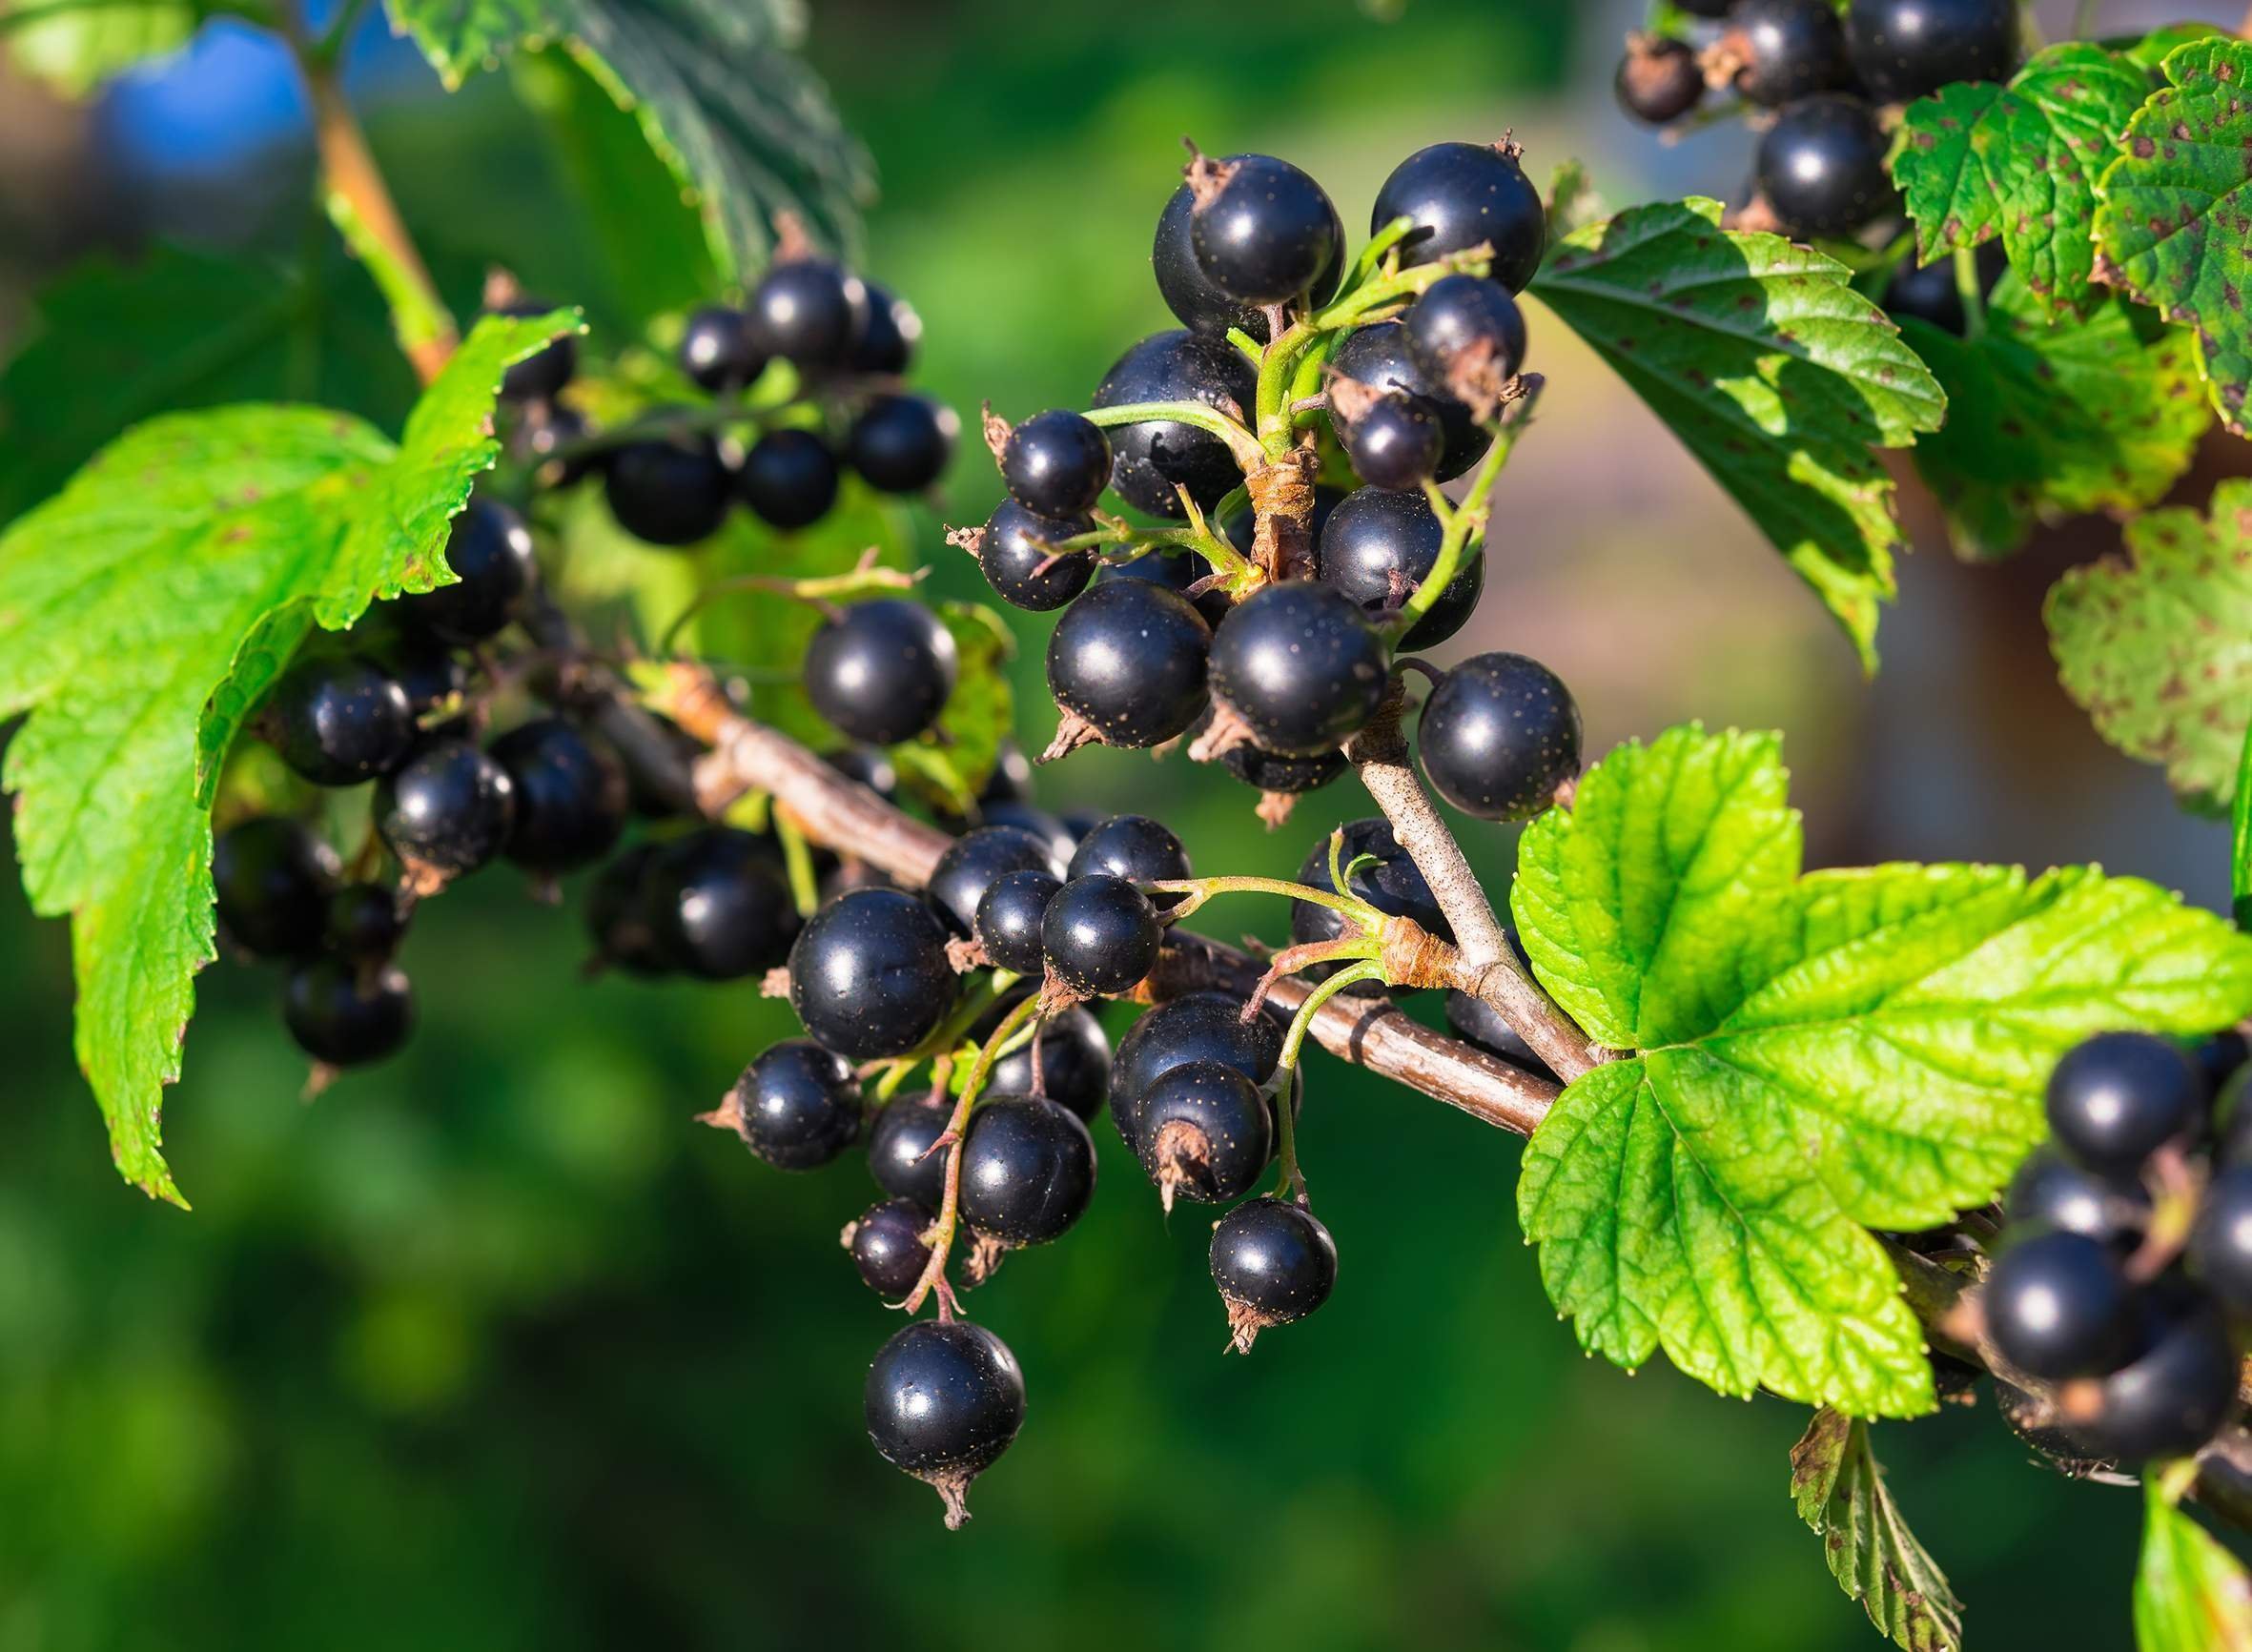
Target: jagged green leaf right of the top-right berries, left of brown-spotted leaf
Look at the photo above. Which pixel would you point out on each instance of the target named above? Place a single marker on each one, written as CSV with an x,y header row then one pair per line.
x,y
2021,161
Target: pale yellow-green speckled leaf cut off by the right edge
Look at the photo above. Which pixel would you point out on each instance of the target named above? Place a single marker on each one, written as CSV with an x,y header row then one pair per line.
x,y
2159,645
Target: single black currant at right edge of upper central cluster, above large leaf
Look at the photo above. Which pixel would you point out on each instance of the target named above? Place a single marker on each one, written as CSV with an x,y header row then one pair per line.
x,y
1499,737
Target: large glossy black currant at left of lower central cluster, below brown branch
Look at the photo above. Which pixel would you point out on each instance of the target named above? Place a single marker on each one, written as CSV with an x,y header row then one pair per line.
x,y
870,976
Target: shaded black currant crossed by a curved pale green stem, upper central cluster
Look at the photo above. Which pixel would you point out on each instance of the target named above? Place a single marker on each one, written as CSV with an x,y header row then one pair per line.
x,y
1152,460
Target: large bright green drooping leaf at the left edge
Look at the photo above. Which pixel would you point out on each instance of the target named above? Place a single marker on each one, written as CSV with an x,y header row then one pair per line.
x,y
143,613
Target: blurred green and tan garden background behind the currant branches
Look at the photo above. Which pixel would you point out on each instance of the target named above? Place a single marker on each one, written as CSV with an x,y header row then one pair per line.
x,y
492,1349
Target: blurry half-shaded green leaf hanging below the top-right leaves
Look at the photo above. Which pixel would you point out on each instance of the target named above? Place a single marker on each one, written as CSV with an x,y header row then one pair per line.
x,y
2057,420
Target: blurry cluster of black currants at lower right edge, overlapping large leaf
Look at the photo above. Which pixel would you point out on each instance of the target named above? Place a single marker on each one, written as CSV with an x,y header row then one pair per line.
x,y
2125,1280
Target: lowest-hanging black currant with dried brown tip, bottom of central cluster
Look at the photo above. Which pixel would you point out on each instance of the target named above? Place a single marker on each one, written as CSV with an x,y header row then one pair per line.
x,y
945,1399
